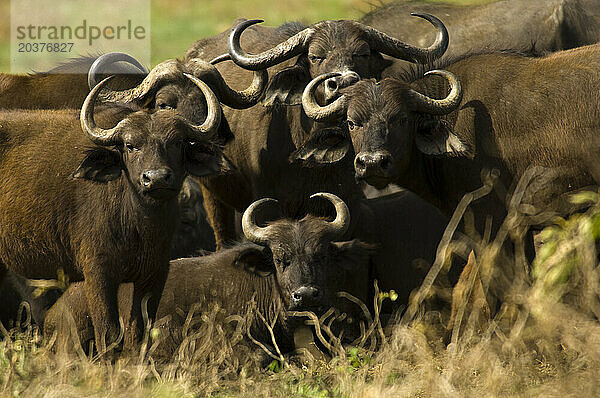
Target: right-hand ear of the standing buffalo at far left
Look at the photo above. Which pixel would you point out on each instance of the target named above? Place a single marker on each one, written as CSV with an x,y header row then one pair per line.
x,y
205,160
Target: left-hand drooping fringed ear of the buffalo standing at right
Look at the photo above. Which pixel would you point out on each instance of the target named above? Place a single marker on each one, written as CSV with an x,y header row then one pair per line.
x,y
323,147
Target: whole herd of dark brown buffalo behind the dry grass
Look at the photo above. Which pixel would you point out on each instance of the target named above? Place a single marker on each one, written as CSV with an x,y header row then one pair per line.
x,y
237,174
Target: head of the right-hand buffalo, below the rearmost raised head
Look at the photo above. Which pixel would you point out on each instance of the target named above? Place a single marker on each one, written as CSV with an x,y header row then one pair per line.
x,y
388,121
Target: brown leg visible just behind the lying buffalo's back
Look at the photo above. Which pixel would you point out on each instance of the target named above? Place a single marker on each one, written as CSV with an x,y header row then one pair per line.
x,y
221,218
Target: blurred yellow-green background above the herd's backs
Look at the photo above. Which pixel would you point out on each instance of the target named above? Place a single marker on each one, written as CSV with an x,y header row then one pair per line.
x,y
176,24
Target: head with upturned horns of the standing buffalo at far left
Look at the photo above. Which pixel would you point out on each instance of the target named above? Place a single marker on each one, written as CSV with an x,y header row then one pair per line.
x,y
153,149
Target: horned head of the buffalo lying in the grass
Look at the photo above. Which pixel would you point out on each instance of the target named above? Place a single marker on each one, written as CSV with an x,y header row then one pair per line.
x,y
309,261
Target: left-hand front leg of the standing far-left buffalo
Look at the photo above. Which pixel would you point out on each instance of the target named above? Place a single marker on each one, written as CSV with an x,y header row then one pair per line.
x,y
101,294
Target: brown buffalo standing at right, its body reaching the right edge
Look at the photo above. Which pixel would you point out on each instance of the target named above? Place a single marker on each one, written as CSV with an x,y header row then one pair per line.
x,y
511,112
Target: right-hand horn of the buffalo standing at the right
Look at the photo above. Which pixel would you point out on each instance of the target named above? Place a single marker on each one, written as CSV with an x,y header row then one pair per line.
x,y
423,103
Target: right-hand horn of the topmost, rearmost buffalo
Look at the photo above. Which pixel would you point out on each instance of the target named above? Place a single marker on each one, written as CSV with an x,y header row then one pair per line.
x,y
390,46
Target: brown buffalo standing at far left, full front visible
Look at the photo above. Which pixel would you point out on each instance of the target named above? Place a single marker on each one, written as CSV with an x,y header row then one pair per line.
x,y
117,225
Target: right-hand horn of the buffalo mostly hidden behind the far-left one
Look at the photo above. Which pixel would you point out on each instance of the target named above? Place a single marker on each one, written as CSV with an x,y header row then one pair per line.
x,y
232,98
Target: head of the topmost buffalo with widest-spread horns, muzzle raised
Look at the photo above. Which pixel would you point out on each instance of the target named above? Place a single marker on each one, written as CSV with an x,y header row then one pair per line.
x,y
350,48
